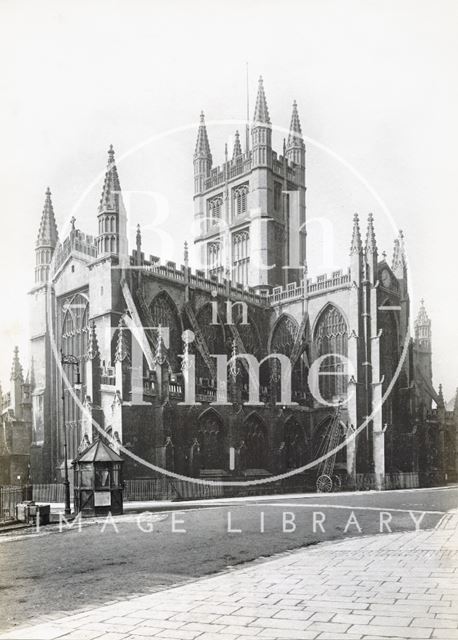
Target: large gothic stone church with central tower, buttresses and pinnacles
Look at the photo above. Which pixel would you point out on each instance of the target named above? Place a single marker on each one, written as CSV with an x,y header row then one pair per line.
x,y
90,294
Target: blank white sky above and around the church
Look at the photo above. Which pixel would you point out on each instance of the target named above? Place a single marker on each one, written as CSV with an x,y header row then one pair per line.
x,y
375,82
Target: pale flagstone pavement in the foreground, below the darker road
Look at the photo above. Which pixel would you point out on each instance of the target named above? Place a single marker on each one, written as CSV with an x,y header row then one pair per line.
x,y
386,586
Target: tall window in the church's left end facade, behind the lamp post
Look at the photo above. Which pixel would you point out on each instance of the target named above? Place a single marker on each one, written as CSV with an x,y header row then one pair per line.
x,y
74,341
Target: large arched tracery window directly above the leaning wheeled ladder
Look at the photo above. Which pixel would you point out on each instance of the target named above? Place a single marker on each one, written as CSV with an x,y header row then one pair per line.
x,y
331,338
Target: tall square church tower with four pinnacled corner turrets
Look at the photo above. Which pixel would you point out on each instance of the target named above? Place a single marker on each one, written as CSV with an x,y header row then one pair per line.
x,y
250,211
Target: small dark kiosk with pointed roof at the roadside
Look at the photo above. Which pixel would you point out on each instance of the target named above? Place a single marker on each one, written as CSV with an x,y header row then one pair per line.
x,y
98,481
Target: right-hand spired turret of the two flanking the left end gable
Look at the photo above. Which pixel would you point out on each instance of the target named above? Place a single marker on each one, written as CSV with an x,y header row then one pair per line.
x,y
112,223
